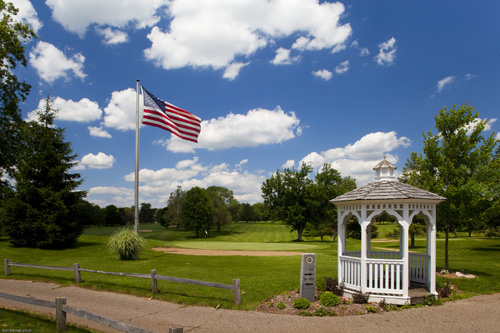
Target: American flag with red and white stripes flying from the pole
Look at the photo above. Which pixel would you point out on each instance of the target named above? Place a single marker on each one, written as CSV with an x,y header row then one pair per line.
x,y
169,117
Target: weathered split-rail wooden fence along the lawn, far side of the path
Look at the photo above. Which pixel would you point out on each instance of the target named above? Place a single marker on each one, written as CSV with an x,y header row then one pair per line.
x,y
235,287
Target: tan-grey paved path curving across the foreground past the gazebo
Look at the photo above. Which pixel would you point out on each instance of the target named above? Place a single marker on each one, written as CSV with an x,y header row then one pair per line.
x,y
477,314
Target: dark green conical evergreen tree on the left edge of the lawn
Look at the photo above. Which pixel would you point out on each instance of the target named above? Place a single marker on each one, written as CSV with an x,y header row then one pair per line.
x,y
43,212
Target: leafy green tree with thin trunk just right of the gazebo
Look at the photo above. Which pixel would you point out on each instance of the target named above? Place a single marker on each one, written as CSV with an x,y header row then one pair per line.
x,y
458,163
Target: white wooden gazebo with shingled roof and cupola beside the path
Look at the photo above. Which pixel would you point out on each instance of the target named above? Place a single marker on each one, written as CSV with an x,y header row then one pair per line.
x,y
387,274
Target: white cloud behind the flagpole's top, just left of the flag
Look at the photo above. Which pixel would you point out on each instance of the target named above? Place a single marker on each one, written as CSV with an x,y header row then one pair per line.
x,y
121,110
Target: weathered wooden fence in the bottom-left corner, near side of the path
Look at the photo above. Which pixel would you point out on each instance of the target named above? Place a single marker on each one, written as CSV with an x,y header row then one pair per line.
x,y
62,309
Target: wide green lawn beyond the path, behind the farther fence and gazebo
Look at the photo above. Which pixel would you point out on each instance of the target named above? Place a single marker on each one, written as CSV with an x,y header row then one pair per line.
x,y
260,277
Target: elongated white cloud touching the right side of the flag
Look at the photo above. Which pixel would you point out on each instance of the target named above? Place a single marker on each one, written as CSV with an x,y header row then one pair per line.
x,y
257,127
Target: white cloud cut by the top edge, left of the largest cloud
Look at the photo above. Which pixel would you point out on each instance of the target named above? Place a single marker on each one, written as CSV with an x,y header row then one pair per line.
x,y
77,16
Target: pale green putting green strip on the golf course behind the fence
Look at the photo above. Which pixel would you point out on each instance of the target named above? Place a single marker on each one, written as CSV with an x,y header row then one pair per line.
x,y
247,246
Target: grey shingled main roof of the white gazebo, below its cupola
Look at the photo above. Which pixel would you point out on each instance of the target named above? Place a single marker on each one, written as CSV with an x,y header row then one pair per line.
x,y
387,190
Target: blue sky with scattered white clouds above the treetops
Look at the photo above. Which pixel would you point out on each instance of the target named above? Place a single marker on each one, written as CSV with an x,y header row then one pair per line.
x,y
275,82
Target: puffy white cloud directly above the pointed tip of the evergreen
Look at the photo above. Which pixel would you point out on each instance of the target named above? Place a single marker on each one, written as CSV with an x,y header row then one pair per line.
x,y
52,64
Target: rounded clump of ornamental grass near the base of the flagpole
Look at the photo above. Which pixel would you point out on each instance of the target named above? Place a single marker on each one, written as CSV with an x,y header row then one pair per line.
x,y
124,244
